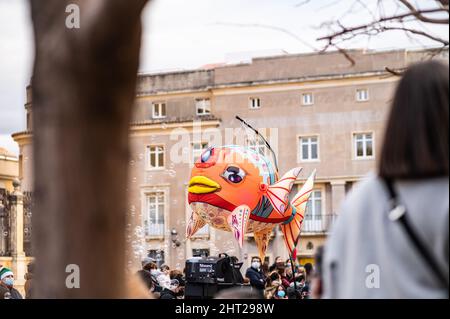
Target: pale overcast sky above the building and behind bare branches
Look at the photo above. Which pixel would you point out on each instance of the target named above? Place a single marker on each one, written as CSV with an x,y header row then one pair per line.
x,y
180,34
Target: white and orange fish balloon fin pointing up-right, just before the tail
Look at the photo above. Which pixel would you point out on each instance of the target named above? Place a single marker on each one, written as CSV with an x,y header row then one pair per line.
x,y
278,193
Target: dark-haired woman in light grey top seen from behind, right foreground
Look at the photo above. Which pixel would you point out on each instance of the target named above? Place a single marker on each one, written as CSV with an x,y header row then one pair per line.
x,y
391,239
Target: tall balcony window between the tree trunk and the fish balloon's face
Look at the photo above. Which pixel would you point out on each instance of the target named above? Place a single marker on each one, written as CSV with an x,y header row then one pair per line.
x,y
154,219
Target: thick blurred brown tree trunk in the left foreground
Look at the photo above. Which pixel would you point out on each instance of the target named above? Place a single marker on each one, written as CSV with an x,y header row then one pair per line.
x,y
83,91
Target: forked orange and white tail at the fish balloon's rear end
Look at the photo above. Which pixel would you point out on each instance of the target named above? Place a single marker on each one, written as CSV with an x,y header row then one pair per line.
x,y
291,228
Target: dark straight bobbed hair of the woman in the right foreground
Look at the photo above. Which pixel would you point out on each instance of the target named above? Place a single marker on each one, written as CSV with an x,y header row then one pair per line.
x,y
416,143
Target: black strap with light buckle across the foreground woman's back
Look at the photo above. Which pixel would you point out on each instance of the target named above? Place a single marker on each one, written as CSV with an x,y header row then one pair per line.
x,y
399,213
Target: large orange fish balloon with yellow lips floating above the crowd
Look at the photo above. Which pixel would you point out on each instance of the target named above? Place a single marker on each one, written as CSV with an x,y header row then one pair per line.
x,y
236,189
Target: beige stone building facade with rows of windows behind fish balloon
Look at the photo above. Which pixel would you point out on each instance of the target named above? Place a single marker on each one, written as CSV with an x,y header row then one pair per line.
x,y
317,110
